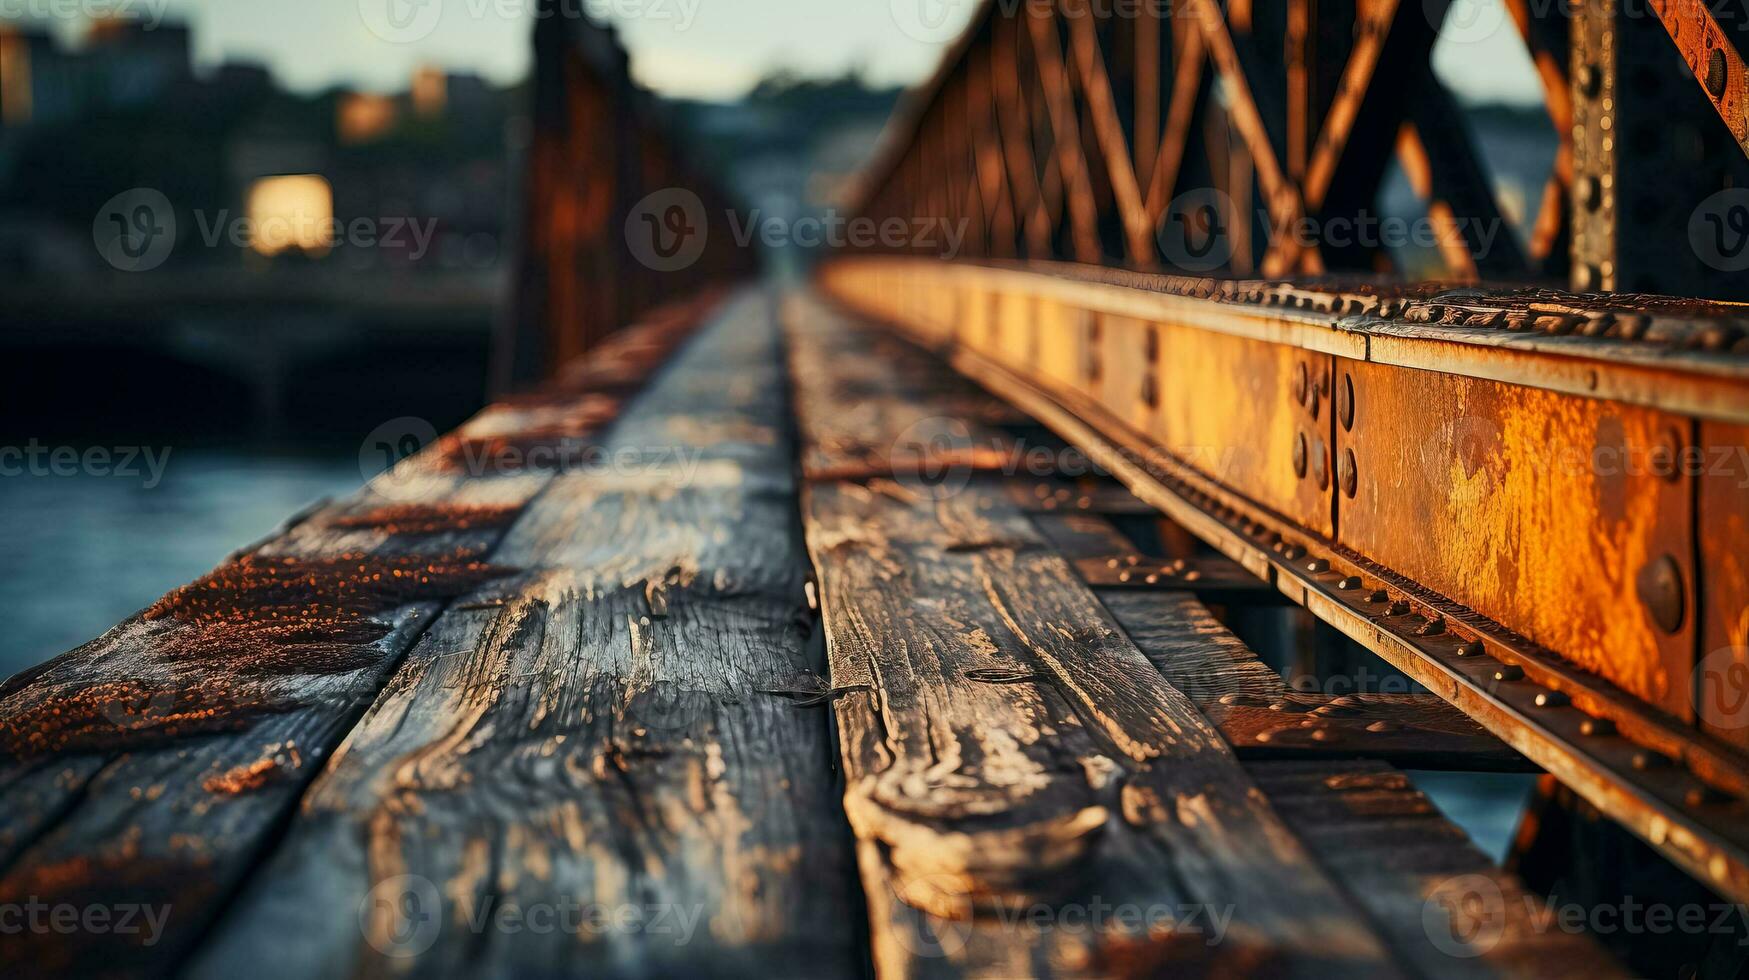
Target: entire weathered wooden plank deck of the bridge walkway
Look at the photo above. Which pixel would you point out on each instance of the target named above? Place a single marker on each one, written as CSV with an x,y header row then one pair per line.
x,y
611,722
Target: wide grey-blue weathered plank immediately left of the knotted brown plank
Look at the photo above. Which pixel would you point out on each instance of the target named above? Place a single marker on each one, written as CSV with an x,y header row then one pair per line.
x,y
624,729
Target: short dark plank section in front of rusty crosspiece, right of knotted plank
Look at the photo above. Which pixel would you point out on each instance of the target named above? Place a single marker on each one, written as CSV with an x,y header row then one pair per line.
x,y
1435,897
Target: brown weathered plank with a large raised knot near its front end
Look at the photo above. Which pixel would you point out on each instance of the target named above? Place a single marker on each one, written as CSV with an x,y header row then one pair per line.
x,y
1007,748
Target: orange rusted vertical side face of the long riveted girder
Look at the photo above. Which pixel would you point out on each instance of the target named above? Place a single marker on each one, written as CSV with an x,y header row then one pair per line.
x,y
1505,442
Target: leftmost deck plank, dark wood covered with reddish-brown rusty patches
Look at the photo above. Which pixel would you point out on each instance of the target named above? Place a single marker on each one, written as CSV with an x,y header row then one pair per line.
x,y
158,760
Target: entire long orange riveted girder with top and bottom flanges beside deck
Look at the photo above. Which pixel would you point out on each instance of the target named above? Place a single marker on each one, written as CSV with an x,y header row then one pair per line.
x,y
1528,501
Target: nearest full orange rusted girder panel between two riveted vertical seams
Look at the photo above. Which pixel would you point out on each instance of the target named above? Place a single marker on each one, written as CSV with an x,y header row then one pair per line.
x,y
1533,508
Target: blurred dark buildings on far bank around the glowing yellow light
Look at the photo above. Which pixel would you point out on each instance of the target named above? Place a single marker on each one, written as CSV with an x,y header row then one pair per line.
x,y
228,144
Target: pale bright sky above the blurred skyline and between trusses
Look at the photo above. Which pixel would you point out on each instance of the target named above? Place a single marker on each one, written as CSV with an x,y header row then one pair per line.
x,y
683,48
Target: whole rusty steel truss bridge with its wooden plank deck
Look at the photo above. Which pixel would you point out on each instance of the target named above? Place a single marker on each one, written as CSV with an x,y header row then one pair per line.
x,y
867,690
